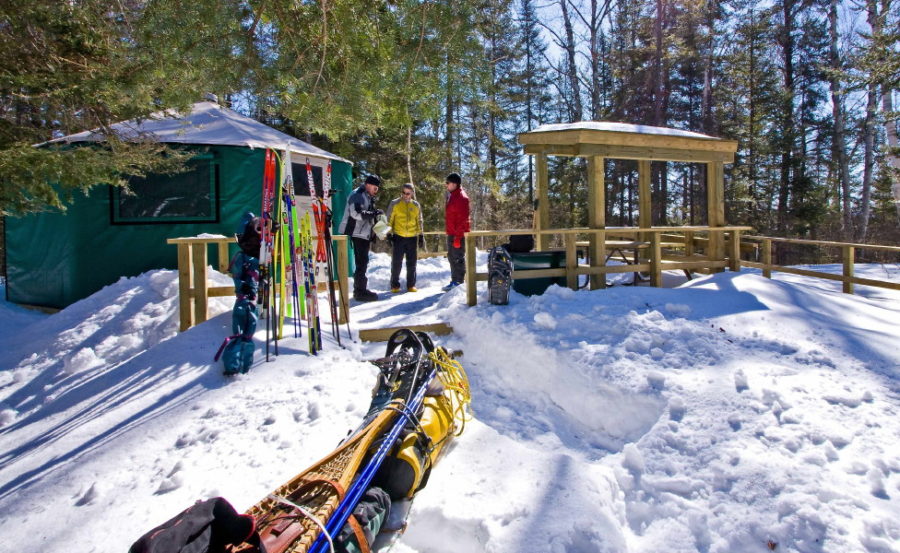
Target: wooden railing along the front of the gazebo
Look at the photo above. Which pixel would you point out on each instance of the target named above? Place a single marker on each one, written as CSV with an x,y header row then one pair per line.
x,y
653,250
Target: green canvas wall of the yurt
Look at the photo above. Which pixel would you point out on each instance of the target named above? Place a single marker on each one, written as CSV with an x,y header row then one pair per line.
x,y
54,259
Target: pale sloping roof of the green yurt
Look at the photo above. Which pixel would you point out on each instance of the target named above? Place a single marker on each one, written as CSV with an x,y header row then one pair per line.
x,y
210,124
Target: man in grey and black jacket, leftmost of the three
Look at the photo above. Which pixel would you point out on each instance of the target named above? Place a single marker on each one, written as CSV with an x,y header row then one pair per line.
x,y
358,223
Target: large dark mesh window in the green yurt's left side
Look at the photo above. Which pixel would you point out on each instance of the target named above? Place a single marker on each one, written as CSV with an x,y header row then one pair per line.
x,y
188,197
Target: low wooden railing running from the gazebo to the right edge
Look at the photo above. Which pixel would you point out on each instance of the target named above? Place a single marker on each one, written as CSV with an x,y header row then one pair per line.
x,y
847,259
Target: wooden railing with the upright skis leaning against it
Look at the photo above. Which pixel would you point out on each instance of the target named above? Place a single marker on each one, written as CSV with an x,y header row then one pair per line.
x,y
194,290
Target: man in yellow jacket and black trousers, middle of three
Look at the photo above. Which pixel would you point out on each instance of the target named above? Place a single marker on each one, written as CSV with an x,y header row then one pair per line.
x,y
405,219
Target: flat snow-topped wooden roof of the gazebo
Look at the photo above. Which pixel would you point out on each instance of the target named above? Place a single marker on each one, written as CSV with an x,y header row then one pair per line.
x,y
626,141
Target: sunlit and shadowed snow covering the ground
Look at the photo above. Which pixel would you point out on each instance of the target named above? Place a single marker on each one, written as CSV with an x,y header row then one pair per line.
x,y
726,414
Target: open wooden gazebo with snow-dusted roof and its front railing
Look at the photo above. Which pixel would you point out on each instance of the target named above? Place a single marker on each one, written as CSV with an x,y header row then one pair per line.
x,y
599,140
